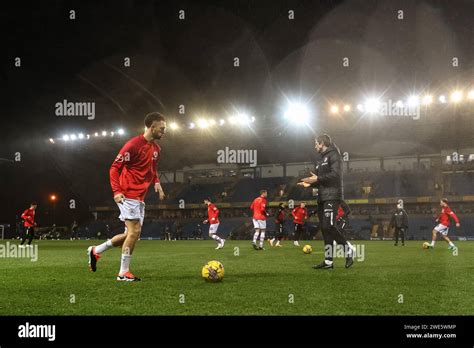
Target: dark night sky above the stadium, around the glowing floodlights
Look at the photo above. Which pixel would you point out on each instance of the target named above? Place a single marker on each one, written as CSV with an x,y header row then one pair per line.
x,y
190,62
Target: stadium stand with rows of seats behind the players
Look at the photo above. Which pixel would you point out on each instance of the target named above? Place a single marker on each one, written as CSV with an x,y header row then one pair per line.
x,y
371,193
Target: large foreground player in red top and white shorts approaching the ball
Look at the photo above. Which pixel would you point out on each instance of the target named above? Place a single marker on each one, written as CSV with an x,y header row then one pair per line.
x,y
131,174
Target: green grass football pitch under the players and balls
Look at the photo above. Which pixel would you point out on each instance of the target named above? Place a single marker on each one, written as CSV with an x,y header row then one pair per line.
x,y
277,281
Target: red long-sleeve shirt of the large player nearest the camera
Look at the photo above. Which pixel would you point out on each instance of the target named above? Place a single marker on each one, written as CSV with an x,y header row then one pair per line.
x,y
134,168
